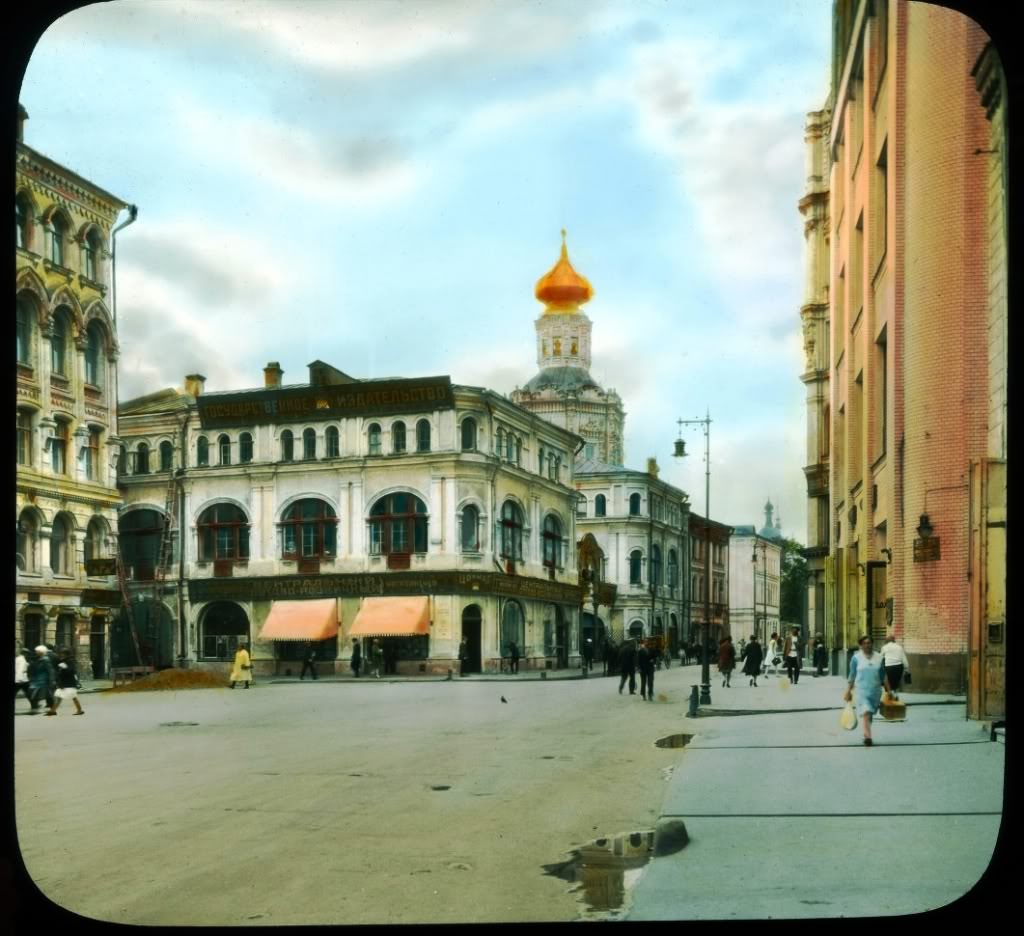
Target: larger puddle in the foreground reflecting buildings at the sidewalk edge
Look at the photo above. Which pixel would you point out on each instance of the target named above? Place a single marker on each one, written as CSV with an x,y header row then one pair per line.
x,y
604,871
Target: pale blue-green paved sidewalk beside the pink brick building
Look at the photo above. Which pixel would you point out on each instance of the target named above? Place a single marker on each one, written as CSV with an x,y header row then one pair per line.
x,y
791,817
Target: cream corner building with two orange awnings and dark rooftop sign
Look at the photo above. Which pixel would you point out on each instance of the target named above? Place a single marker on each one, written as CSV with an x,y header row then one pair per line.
x,y
411,512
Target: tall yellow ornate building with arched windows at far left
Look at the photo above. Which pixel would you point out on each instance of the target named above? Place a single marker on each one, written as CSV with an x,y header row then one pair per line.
x,y
67,498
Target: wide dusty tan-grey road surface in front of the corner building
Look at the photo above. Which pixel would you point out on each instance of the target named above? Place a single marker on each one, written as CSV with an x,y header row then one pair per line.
x,y
316,802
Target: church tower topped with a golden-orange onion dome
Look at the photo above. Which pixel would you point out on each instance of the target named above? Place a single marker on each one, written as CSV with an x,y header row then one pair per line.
x,y
564,393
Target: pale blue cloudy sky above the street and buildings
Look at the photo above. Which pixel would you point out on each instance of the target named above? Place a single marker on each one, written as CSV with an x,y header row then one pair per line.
x,y
380,185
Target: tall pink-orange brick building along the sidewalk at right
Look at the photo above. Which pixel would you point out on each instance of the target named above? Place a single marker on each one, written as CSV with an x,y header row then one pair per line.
x,y
905,323
